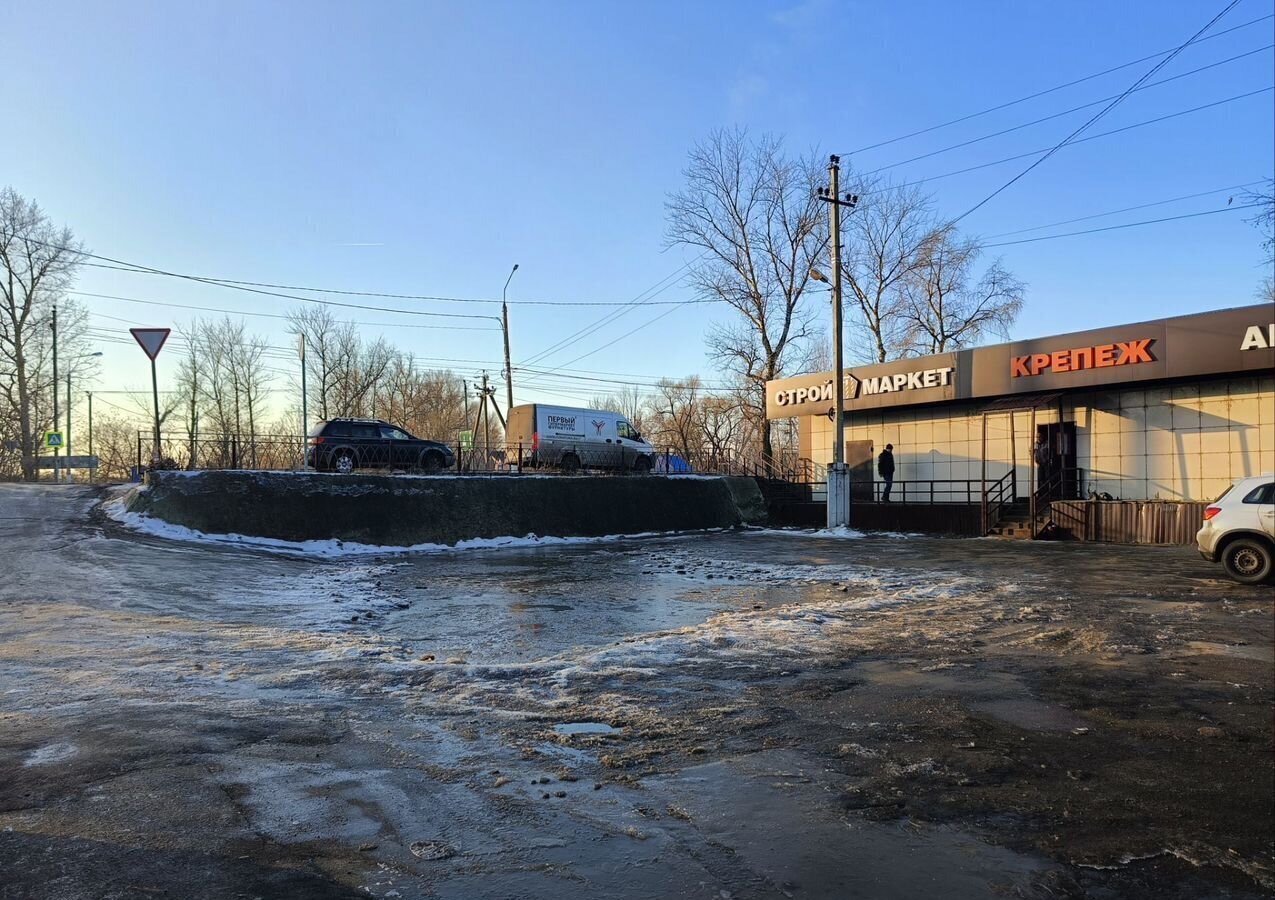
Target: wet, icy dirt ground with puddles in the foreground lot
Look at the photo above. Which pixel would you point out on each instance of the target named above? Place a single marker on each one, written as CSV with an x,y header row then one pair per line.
x,y
752,715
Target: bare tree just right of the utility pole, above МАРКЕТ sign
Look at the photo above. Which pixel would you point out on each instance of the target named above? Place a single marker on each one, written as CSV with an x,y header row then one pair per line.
x,y
884,238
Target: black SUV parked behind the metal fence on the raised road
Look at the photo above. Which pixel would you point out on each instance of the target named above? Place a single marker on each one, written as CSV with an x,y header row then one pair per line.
x,y
347,444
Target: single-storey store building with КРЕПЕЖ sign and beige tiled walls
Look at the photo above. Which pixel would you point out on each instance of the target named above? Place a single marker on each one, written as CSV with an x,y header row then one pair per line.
x,y
1172,410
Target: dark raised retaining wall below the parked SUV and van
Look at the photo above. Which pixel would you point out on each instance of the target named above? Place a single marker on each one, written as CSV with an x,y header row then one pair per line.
x,y
398,511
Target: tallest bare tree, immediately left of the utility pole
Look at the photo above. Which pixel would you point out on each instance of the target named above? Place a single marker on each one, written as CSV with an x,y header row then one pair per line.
x,y
754,215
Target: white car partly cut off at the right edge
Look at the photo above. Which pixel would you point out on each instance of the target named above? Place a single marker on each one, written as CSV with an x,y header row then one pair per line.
x,y
1240,530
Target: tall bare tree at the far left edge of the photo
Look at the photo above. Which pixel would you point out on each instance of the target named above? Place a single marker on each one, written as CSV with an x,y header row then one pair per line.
x,y
38,266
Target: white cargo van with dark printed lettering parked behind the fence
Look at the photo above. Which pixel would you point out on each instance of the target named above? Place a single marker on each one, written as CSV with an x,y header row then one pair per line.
x,y
573,439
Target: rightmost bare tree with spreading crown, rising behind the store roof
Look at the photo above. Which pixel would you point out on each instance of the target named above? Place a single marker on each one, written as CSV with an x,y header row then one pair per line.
x,y
947,304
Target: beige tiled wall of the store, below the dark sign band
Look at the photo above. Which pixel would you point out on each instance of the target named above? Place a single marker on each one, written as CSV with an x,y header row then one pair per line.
x,y
1185,442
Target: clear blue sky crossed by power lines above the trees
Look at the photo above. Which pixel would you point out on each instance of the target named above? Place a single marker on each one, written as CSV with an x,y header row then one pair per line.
x,y
426,147
